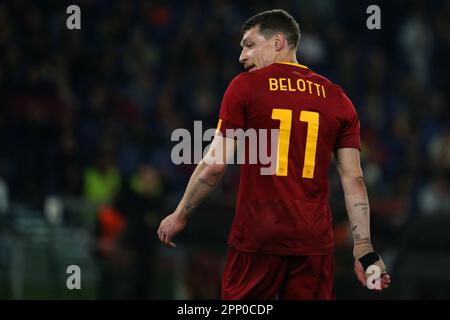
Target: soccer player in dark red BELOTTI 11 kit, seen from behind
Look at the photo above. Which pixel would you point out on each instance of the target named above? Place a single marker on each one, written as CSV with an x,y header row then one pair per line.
x,y
281,240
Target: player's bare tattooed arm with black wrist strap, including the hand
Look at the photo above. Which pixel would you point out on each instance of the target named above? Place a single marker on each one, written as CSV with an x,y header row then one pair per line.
x,y
358,210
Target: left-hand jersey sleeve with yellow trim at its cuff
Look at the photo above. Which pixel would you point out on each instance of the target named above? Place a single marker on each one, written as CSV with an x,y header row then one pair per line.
x,y
234,103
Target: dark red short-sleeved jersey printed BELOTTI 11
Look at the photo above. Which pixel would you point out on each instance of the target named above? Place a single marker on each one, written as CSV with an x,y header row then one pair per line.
x,y
288,212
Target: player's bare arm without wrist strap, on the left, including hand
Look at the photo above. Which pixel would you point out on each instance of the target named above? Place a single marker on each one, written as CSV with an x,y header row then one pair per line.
x,y
203,181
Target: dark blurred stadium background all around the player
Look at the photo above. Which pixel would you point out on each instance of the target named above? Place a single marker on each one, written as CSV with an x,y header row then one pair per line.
x,y
85,124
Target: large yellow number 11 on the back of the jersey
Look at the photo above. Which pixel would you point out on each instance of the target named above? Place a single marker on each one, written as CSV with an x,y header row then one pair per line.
x,y
285,117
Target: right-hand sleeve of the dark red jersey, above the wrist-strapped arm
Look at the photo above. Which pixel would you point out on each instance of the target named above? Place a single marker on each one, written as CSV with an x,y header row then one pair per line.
x,y
349,134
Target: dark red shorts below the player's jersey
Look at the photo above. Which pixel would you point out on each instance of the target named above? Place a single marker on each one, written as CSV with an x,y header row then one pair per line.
x,y
262,276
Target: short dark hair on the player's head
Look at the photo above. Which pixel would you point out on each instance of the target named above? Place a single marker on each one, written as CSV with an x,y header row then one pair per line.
x,y
272,21
